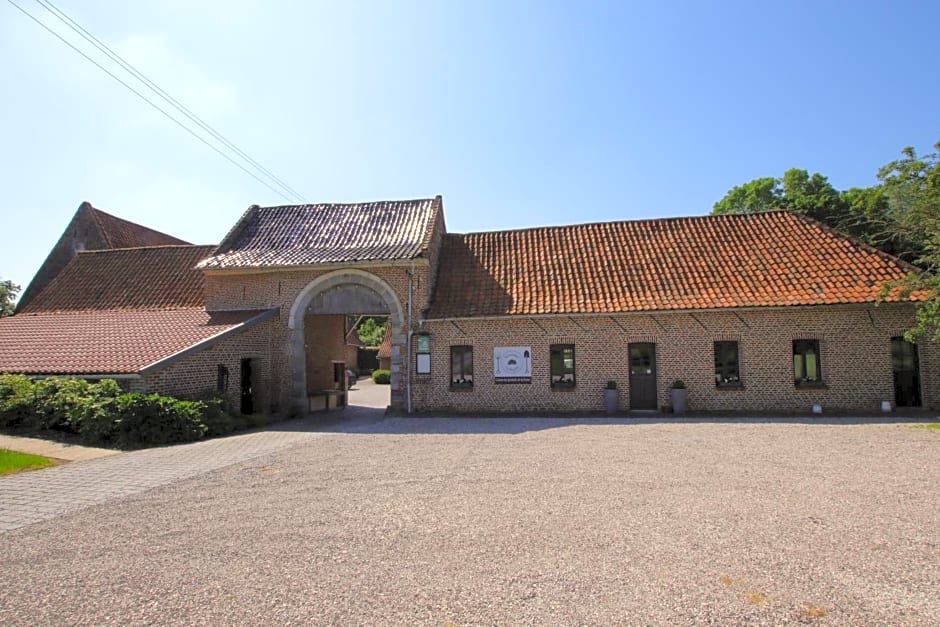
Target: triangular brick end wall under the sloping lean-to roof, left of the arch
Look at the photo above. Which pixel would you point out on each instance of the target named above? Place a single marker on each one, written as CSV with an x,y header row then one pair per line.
x,y
198,373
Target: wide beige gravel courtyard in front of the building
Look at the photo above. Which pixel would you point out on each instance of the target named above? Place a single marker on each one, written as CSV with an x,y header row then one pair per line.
x,y
512,522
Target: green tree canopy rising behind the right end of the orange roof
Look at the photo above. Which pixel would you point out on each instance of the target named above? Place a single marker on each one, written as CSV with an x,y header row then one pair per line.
x,y
900,215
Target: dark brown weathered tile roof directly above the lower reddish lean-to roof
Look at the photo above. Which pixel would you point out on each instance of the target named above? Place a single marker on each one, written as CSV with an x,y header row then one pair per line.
x,y
162,277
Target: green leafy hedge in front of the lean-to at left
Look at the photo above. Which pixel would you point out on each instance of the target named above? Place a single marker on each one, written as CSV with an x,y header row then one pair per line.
x,y
100,413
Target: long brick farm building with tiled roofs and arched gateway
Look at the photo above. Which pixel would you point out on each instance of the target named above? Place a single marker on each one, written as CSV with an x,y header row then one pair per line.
x,y
765,312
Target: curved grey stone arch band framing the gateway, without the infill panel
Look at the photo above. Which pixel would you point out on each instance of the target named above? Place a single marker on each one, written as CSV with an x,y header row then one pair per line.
x,y
295,324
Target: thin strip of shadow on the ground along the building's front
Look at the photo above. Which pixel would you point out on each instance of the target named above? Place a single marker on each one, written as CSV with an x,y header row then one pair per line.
x,y
361,420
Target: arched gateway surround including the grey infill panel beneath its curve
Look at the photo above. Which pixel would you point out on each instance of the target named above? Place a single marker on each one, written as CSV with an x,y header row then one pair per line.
x,y
347,291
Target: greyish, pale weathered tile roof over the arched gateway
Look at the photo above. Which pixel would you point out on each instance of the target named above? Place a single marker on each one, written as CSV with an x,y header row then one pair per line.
x,y
327,233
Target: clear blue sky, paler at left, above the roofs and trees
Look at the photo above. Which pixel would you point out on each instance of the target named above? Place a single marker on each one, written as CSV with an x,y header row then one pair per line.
x,y
518,113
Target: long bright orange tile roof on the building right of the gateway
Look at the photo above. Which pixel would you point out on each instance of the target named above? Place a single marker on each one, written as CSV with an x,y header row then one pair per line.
x,y
768,259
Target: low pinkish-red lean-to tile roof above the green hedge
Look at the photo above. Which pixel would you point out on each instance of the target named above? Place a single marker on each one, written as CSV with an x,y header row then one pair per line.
x,y
110,341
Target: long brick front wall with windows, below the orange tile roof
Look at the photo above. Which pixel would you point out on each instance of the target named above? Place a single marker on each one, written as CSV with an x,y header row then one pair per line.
x,y
854,343
